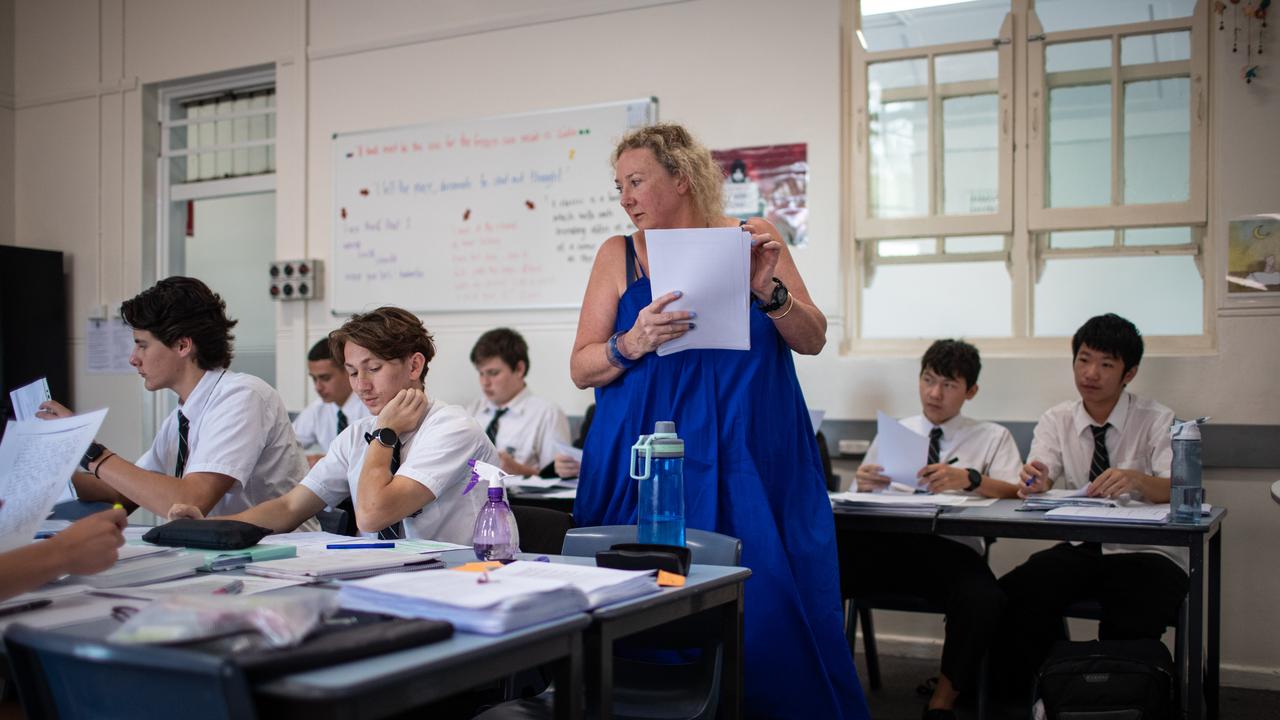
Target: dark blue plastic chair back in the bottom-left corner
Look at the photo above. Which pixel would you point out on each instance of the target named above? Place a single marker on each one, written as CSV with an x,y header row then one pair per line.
x,y
67,678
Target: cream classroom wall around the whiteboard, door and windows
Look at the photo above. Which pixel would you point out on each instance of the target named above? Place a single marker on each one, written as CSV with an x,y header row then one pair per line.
x,y
739,72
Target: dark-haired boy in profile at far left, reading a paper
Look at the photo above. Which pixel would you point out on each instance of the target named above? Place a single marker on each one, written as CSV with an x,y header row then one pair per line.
x,y
227,448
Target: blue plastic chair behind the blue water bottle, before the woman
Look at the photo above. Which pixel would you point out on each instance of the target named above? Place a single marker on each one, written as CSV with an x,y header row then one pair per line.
x,y
646,690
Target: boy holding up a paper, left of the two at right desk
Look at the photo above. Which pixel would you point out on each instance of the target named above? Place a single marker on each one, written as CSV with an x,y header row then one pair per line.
x,y
964,455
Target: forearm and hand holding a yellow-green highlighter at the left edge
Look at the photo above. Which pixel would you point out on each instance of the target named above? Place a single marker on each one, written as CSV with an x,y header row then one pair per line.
x,y
88,546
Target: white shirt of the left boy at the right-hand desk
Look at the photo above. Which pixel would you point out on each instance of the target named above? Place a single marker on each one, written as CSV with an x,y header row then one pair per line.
x,y
988,448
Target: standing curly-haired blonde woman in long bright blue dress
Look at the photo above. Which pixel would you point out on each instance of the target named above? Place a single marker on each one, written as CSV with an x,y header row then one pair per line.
x,y
752,466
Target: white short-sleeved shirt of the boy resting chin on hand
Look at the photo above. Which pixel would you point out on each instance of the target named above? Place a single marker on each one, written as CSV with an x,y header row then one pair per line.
x,y
435,455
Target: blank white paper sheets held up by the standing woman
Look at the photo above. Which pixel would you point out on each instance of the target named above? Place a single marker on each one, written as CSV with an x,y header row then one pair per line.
x,y
712,267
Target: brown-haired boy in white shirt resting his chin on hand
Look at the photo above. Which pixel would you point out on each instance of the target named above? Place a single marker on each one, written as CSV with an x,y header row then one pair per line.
x,y
405,467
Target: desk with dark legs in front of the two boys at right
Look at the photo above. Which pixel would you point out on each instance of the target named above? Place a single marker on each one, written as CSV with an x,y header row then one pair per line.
x,y
1204,605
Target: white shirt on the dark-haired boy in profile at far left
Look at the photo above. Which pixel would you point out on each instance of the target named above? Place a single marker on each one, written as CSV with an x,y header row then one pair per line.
x,y
237,427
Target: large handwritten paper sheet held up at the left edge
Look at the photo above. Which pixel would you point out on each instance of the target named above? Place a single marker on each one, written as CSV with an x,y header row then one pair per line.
x,y
36,458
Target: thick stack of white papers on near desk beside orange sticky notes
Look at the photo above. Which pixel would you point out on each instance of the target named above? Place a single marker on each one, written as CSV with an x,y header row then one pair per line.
x,y
488,604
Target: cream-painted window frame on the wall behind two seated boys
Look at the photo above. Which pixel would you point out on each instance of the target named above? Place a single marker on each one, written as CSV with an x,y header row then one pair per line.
x,y
1022,216
